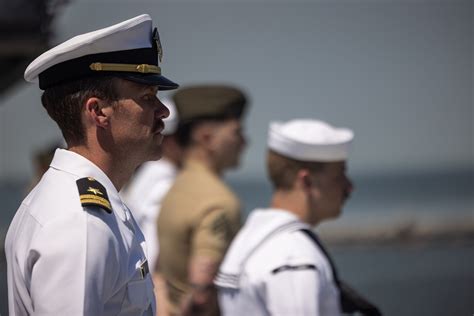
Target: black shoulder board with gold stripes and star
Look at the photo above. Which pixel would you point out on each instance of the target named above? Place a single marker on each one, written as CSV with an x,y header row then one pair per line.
x,y
92,193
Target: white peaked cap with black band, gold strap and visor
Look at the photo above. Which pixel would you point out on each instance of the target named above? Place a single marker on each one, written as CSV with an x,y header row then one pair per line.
x,y
113,51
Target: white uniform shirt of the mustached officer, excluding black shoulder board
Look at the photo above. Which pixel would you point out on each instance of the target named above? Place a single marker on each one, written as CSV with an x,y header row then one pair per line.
x,y
66,259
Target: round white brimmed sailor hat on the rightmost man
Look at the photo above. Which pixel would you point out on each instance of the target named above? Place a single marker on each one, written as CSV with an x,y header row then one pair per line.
x,y
309,140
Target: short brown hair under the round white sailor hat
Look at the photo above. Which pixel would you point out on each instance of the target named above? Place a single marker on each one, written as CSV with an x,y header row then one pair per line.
x,y
283,170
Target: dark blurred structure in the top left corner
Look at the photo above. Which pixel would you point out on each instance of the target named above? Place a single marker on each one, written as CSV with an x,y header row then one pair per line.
x,y
26,30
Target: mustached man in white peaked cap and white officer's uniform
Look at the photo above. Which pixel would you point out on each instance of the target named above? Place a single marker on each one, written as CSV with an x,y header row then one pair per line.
x,y
73,247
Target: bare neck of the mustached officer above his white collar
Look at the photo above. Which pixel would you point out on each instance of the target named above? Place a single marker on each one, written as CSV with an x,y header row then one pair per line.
x,y
115,168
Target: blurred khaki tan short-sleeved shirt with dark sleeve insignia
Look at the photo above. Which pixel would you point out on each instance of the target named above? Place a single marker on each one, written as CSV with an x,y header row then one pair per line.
x,y
199,217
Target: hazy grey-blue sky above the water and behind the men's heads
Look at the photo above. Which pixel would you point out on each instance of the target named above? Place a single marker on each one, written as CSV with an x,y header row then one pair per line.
x,y
399,73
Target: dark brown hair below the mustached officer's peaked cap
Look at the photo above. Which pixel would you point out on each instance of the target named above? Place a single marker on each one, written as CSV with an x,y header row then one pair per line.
x,y
64,103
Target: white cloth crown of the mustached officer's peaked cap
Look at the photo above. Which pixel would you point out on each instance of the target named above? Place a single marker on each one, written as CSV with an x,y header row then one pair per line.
x,y
130,34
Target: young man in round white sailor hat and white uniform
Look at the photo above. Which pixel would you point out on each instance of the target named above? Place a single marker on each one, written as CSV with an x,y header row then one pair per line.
x,y
276,265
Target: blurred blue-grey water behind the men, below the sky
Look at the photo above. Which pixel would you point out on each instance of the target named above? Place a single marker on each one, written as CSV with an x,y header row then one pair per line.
x,y
428,277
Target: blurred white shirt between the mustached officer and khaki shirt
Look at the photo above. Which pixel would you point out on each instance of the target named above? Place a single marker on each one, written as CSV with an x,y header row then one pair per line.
x,y
144,195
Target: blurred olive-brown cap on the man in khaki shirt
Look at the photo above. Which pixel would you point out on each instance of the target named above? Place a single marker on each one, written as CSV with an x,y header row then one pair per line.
x,y
209,102
